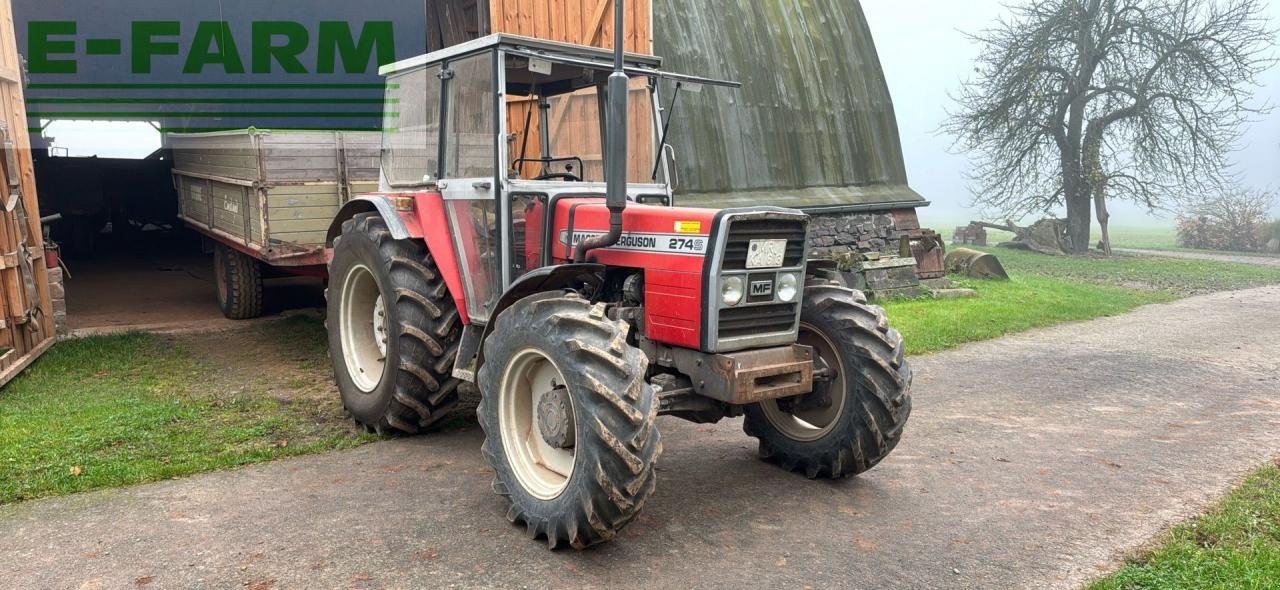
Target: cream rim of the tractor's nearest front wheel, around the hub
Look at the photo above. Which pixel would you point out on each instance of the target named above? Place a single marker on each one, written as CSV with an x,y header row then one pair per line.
x,y
542,470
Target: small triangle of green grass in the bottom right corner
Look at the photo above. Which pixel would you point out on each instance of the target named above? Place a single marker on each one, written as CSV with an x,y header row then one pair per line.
x,y
1237,546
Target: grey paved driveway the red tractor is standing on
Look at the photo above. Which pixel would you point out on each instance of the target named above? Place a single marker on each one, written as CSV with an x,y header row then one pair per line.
x,y
1035,461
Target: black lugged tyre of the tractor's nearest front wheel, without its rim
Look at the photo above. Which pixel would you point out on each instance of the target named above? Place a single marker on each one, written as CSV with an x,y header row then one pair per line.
x,y
616,419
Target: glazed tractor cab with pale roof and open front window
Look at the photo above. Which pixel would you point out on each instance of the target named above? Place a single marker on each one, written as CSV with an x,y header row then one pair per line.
x,y
505,127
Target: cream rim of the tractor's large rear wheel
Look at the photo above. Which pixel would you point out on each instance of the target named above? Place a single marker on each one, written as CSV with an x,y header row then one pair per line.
x,y
363,319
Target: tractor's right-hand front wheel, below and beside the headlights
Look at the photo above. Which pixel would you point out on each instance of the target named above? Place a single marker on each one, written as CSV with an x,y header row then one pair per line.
x,y
857,413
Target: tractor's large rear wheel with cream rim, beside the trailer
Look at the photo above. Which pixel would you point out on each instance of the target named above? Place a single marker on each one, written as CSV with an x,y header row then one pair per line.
x,y
394,330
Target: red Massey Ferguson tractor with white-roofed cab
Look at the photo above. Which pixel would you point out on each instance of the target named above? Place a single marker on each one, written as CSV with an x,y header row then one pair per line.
x,y
579,301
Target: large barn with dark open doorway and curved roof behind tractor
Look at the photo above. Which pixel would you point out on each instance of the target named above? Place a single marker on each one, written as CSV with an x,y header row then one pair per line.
x,y
813,126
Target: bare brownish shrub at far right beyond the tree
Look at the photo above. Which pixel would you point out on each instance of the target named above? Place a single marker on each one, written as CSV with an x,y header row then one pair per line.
x,y
1236,222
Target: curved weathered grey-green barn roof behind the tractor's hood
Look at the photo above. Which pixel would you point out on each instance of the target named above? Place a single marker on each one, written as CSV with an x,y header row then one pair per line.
x,y
813,122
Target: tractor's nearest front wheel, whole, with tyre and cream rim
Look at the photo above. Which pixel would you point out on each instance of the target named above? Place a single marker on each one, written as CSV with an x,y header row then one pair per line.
x,y
584,490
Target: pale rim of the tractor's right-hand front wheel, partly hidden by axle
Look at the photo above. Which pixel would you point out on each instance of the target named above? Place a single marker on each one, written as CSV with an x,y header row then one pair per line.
x,y
813,424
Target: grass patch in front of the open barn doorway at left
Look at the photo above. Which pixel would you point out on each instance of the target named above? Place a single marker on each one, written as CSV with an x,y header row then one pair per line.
x,y
121,410
